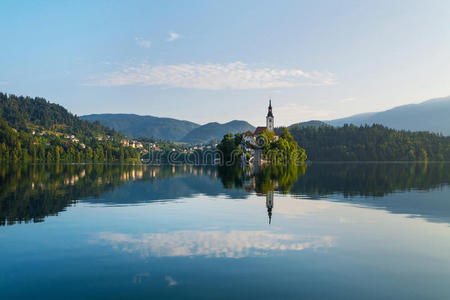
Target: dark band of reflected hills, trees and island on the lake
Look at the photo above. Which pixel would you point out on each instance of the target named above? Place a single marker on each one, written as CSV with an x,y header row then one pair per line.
x,y
29,193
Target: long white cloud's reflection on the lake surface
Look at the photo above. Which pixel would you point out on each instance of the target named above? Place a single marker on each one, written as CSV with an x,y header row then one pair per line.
x,y
229,244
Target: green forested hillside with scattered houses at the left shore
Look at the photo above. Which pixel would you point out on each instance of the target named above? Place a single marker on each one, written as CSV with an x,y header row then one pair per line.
x,y
35,130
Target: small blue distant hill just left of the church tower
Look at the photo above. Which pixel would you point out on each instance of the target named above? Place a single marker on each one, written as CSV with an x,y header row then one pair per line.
x,y
215,131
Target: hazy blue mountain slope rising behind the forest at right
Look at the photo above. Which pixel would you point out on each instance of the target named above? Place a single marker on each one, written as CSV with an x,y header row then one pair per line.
x,y
432,115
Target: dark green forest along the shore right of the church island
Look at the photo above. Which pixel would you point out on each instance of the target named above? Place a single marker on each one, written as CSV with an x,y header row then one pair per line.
x,y
370,143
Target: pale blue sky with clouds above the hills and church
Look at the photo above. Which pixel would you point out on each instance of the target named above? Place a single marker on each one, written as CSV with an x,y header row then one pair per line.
x,y
221,60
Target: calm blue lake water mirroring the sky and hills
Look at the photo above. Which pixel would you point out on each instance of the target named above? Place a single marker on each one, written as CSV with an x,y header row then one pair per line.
x,y
348,231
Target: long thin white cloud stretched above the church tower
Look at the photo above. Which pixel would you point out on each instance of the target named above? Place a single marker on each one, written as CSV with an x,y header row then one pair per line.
x,y
236,75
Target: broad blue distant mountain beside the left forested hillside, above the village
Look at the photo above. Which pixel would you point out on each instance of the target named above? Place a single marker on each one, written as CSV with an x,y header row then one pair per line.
x,y
145,126
